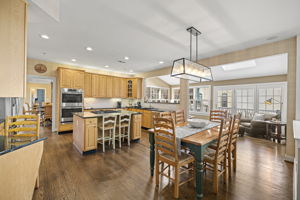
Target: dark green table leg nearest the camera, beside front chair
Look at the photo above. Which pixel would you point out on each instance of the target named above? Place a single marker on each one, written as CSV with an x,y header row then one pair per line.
x,y
198,153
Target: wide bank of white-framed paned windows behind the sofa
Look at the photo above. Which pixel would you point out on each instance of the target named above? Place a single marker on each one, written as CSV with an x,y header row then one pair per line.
x,y
250,99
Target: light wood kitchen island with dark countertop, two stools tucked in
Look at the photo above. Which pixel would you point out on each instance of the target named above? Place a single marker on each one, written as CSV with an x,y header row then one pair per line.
x,y
85,128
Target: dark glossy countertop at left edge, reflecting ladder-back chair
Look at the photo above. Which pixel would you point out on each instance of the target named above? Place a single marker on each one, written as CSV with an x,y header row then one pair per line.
x,y
9,144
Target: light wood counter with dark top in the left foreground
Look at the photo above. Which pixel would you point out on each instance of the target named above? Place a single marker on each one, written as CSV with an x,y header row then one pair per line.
x,y
20,159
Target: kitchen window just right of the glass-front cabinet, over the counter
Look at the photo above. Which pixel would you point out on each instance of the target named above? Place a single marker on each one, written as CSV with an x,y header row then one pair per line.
x,y
156,94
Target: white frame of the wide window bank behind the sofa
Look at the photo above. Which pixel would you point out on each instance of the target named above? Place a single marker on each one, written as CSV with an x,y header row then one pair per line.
x,y
282,85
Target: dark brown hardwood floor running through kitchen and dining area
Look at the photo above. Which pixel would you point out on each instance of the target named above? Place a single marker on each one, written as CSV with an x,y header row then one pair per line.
x,y
124,173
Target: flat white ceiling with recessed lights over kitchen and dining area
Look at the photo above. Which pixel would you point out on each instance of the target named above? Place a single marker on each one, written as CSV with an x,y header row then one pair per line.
x,y
149,31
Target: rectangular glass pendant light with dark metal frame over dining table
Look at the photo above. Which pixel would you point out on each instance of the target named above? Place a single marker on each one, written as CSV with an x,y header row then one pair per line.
x,y
188,69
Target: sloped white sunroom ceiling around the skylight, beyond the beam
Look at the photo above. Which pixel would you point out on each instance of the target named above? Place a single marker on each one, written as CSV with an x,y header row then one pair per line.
x,y
266,66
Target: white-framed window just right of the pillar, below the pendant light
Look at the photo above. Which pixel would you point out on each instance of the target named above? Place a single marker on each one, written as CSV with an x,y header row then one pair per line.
x,y
199,99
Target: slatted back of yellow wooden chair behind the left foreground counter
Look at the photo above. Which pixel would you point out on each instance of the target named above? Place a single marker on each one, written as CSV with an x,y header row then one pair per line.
x,y
22,125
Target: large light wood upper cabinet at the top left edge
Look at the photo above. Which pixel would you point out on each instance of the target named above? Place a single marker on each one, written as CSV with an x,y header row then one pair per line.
x,y
13,14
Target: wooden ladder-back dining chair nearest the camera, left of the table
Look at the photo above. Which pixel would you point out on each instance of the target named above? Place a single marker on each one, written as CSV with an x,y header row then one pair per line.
x,y
166,153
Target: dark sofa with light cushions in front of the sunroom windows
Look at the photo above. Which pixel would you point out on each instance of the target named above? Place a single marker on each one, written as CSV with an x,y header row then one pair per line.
x,y
256,126
